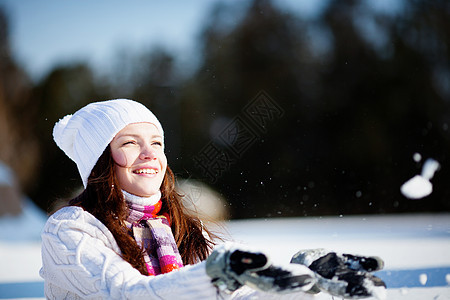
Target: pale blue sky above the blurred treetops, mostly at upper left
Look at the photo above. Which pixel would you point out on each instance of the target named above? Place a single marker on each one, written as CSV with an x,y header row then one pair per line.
x,y
45,33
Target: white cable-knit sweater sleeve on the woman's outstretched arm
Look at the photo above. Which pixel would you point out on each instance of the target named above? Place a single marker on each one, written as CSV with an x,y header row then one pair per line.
x,y
81,259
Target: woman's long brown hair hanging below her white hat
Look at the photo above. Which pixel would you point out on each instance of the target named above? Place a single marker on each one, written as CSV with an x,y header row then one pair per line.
x,y
104,199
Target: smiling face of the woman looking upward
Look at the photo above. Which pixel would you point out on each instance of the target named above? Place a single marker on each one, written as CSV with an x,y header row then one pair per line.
x,y
140,161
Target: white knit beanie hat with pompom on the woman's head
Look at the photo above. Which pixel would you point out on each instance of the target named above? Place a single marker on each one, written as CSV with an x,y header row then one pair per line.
x,y
84,135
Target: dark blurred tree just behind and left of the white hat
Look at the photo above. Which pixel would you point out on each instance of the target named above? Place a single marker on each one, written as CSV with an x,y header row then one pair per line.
x,y
63,91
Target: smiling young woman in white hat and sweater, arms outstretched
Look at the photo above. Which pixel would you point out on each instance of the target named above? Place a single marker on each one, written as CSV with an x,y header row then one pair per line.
x,y
128,236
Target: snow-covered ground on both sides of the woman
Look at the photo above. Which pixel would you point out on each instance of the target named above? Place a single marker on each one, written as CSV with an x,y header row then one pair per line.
x,y
416,248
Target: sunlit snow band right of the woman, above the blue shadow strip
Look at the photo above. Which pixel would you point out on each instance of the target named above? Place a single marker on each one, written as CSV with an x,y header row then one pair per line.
x,y
402,241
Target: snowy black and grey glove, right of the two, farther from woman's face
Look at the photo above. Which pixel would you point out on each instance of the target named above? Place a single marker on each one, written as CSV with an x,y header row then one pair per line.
x,y
343,275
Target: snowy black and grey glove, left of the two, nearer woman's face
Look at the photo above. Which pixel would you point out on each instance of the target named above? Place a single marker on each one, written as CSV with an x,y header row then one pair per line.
x,y
230,267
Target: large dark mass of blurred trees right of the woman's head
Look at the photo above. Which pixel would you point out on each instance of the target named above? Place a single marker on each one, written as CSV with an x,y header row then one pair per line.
x,y
353,117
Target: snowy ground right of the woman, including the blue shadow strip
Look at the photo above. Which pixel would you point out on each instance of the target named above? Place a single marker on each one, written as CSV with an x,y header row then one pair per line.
x,y
415,248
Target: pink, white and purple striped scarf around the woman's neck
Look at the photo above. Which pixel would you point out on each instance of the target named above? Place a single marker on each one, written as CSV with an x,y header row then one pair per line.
x,y
153,232
